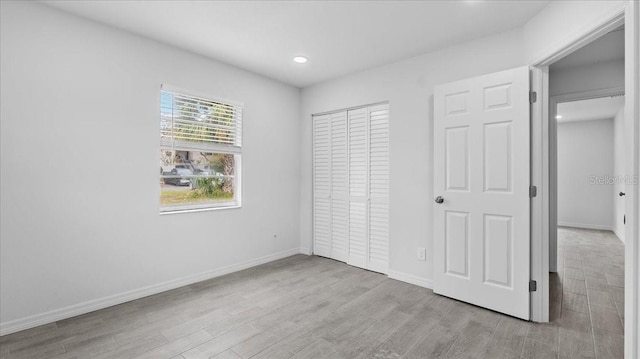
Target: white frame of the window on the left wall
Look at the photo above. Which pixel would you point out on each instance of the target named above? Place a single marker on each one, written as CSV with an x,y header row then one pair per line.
x,y
213,148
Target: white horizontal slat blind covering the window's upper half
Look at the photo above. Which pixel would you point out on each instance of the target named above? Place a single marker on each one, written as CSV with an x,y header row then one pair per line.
x,y
194,123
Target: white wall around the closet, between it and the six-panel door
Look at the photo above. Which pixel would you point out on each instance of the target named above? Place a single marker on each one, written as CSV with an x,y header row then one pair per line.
x,y
408,86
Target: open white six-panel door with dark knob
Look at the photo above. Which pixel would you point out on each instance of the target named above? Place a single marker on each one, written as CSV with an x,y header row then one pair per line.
x,y
481,233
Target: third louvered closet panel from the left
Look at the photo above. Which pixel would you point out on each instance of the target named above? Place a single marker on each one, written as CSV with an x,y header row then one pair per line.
x,y
358,187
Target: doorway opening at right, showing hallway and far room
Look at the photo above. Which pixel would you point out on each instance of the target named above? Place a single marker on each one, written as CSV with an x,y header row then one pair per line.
x,y
586,177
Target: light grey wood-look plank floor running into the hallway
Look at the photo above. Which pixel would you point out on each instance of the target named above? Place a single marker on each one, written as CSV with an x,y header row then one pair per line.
x,y
311,307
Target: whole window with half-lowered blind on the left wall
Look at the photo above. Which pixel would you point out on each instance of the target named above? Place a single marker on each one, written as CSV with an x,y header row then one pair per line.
x,y
200,152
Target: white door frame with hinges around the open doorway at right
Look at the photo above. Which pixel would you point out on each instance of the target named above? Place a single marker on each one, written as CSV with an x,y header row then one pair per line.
x,y
629,15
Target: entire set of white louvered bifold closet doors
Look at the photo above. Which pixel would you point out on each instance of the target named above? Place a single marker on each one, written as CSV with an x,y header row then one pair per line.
x,y
351,187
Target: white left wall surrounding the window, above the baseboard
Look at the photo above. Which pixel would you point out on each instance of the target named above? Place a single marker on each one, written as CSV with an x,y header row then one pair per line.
x,y
80,226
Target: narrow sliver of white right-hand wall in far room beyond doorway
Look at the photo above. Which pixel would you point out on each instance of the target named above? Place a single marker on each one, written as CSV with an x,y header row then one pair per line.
x,y
619,171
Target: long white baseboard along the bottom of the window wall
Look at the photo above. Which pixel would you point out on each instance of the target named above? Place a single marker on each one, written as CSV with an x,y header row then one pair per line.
x,y
101,303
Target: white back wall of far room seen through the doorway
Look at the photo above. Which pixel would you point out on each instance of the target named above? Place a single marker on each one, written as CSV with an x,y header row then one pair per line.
x,y
585,149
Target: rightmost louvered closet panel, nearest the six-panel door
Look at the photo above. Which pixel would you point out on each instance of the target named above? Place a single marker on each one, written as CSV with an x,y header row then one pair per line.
x,y
379,188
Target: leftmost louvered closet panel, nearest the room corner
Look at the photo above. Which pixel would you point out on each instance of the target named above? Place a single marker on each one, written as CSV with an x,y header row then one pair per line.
x,y
322,185
